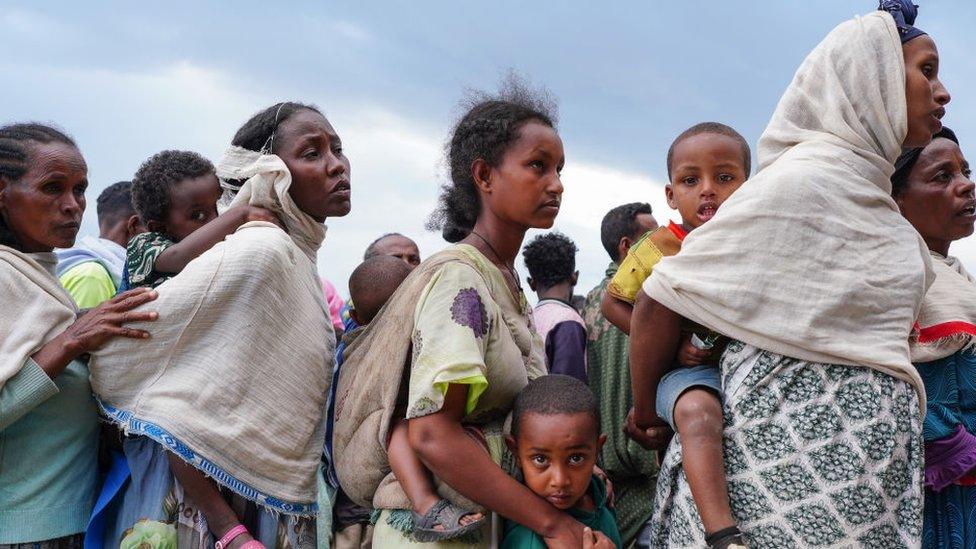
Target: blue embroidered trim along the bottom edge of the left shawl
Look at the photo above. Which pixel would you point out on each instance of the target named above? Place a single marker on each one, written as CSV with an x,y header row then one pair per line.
x,y
137,426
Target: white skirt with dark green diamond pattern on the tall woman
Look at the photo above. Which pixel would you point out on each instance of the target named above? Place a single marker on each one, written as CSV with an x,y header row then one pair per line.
x,y
816,455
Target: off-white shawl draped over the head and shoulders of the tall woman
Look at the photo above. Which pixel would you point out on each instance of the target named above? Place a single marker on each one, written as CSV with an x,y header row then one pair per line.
x,y
811,258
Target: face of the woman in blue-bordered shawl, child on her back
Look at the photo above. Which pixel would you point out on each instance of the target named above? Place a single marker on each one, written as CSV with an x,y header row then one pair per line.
x,y
312,150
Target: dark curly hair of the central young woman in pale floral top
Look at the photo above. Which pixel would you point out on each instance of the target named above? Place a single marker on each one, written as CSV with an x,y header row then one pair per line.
x,y
488,128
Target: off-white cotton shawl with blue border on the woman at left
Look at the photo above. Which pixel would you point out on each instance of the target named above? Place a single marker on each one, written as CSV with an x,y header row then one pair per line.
x,y
236,374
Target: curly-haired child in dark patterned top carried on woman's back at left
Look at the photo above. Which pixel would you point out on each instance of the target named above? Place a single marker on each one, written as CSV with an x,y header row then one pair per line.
x,y
175,194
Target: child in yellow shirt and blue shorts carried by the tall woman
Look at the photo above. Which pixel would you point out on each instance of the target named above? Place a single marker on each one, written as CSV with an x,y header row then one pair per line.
x,y
706,164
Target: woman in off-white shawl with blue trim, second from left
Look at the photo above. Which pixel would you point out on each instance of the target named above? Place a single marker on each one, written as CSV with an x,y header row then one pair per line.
x,y
236,380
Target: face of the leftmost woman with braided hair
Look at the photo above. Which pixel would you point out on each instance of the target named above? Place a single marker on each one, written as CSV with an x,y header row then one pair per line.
x,y
44,208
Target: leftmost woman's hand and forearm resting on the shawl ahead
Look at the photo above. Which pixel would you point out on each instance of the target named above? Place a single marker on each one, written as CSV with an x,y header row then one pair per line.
x,y
92,330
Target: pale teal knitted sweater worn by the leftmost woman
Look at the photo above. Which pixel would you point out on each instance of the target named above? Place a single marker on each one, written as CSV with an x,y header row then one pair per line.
x,y
48,452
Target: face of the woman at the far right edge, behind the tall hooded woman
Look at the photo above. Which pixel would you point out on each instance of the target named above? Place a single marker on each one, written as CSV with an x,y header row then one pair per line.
x,y
938,198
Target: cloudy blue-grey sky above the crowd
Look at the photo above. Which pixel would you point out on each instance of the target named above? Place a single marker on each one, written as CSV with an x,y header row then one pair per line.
x,y
128,79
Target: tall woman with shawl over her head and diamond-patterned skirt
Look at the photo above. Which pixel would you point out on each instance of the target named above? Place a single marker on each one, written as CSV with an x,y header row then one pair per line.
x,y
817,279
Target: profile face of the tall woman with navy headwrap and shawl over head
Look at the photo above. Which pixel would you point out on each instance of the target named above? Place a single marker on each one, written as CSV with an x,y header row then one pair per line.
x,y
924,92
